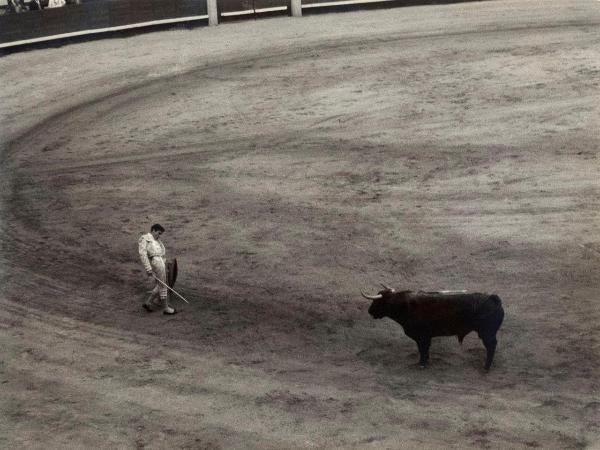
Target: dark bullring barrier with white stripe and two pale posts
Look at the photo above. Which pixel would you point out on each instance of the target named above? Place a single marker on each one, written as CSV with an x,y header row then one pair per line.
x,y
91,17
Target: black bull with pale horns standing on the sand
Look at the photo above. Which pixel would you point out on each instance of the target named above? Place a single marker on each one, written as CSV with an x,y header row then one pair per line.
x,y
424,315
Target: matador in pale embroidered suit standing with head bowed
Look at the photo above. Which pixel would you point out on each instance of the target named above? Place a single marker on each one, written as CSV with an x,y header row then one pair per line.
x,y
152,254
